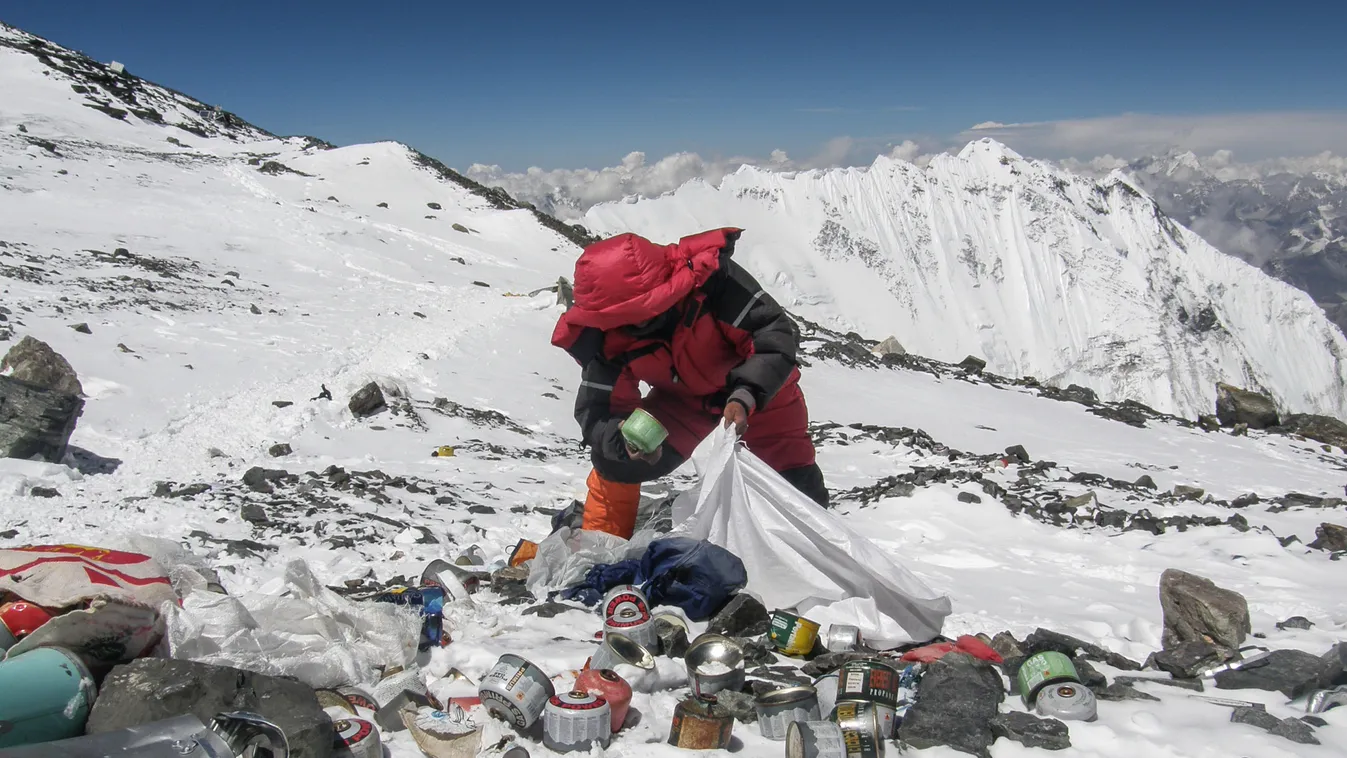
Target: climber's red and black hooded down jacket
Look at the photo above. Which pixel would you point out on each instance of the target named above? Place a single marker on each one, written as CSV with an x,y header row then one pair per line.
x,y
717,333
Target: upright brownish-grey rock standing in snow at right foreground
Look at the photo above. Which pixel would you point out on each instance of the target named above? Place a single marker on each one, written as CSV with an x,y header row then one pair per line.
x,y
1197,611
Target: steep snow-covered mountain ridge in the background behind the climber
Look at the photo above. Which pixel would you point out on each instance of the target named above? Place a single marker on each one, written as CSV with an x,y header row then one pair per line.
x,y
1035,270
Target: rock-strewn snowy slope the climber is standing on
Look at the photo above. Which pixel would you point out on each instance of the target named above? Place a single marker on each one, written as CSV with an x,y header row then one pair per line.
x,y
227,281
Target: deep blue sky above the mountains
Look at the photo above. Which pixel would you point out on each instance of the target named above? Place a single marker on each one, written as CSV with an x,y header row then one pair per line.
x,y
583,84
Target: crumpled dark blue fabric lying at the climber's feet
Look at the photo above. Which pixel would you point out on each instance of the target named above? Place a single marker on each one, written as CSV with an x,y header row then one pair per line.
x,y
694,576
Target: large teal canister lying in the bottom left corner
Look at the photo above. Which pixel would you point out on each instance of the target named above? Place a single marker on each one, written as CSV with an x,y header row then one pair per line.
x,y
45,695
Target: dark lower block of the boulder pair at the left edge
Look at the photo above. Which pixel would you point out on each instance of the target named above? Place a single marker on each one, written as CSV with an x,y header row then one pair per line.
x,y
37,421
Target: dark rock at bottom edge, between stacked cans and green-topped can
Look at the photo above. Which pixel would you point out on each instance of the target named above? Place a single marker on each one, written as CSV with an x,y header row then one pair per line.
x,y
960,699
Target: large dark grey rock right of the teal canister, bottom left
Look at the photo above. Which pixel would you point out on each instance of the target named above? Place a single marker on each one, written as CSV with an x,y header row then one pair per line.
x,y
150,690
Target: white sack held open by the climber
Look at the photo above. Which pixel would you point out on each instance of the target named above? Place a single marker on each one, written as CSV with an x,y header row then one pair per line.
x,y
799,555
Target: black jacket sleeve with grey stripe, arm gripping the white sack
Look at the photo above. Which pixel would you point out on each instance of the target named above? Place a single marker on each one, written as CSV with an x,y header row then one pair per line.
x,y
762,329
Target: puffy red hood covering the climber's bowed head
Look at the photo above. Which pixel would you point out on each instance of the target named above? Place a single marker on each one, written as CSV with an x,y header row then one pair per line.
x,y
627,279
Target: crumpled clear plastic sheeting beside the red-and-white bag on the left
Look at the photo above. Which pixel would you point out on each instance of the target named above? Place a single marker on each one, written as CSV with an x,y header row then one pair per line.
x,y
294,628
